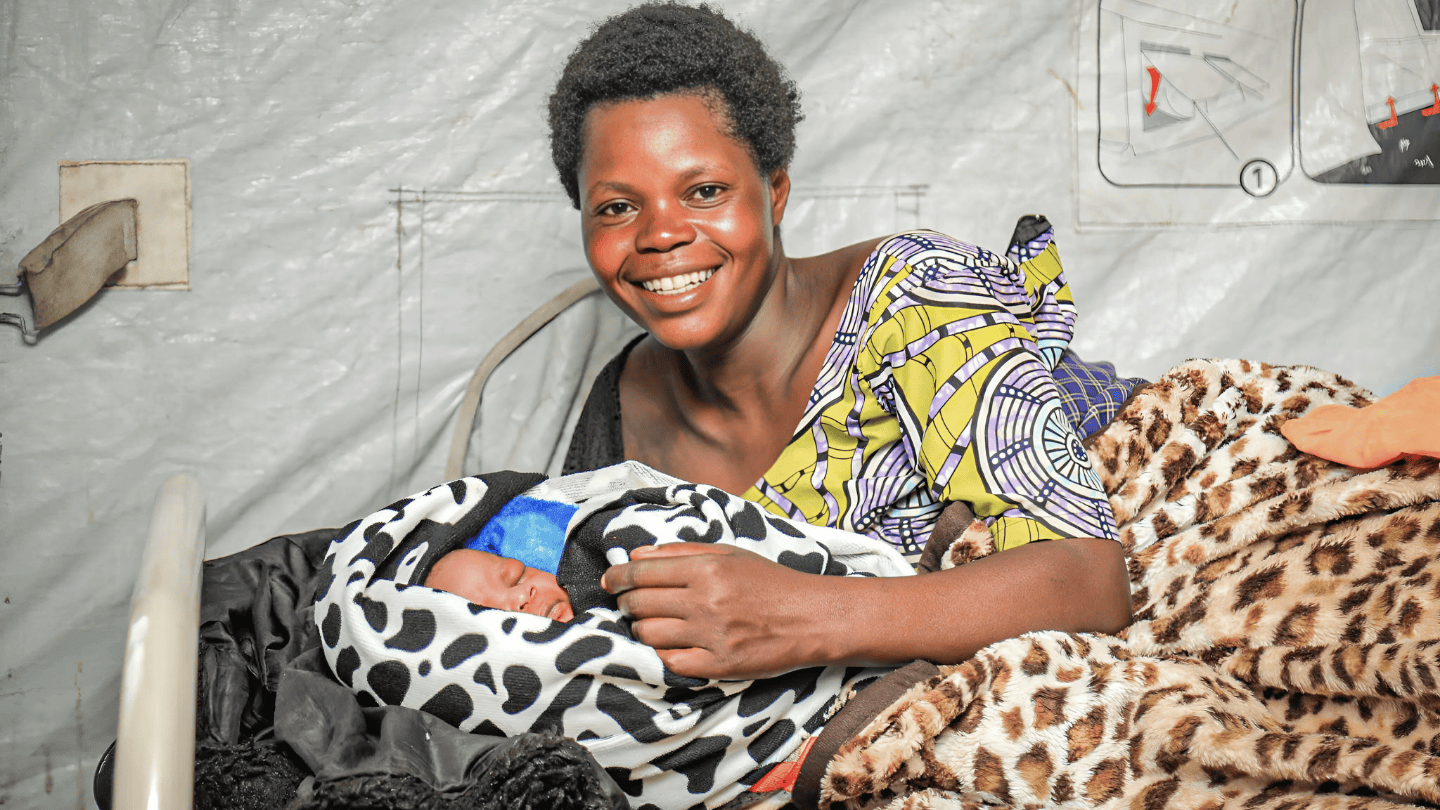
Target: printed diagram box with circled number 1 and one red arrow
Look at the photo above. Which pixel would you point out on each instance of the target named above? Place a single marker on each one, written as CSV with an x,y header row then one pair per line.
x,y
1196,93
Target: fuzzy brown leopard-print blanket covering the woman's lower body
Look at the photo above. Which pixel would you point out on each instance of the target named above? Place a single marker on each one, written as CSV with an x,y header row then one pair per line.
x,y
1287,644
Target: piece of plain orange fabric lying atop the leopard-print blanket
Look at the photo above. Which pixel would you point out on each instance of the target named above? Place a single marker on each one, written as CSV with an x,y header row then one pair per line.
x,y
1408,423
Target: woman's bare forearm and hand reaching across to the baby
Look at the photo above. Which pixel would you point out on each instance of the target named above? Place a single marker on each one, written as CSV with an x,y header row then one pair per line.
x,y
725,613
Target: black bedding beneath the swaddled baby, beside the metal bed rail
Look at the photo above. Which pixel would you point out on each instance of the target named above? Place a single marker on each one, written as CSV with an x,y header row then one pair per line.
x,y
260,651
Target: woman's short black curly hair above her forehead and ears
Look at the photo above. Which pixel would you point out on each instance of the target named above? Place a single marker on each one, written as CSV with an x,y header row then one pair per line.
x,y
663,48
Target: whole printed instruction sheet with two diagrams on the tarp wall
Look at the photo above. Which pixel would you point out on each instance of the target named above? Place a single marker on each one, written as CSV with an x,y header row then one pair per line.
x,y
1265,112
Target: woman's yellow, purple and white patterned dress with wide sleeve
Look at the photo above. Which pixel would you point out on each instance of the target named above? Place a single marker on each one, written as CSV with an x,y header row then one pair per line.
x,y
940,388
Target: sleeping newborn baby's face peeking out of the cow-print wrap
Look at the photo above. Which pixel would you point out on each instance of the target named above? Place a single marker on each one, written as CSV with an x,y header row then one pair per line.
x,y
500,583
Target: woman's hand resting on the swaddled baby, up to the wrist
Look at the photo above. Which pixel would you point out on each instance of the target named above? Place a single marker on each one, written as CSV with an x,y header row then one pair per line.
x,y
721,612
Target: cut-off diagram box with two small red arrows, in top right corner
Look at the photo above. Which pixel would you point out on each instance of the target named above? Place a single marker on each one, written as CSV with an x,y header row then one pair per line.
x,y
1370,92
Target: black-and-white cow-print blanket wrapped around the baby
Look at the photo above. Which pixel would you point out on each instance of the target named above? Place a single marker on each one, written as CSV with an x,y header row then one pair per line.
x,y
670,742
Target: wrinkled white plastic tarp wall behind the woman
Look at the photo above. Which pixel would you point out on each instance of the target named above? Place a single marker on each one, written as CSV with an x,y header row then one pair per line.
x,y
374,207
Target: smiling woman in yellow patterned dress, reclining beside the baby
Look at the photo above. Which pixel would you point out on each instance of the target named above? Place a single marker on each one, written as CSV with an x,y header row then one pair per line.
x,y
905,365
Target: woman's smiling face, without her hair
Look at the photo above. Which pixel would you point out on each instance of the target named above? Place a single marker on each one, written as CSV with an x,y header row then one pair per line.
x,y
679,224
